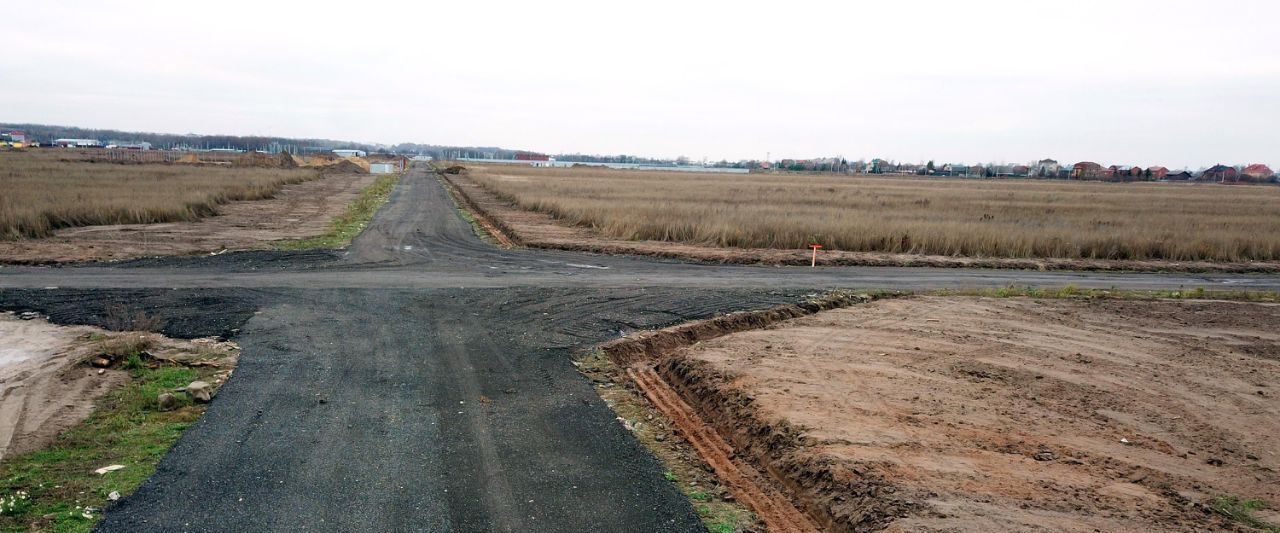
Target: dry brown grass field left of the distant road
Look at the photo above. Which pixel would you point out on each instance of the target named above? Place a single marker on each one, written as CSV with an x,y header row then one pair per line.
x,y
43,190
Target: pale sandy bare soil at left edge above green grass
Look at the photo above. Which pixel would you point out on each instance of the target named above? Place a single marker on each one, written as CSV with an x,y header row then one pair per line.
x,y
47,384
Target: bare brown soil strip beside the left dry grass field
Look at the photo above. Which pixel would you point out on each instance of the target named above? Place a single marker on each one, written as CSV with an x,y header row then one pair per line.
x,y
299,212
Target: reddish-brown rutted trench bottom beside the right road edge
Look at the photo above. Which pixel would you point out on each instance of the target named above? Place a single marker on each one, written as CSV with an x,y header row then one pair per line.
x,y
771,507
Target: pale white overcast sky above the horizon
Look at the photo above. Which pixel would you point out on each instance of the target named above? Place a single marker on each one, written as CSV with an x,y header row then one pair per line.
x,y
1136,83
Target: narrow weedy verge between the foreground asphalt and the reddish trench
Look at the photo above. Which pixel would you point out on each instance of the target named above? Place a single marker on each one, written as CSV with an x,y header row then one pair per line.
x,y
684,468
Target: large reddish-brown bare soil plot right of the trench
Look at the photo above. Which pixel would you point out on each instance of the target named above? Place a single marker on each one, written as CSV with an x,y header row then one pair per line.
x,y
1011,414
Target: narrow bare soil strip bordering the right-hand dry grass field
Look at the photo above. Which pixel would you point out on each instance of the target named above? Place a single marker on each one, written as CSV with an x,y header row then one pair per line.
x,y
543,231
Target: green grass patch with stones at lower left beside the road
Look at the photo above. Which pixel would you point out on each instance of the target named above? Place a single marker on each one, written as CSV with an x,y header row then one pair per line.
x,y
57,490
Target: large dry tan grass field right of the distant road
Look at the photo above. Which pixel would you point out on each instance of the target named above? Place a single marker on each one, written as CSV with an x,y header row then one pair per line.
x,y
907,216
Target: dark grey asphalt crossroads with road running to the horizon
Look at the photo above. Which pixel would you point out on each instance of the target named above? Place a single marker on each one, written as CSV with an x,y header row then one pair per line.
x,y
423,380
